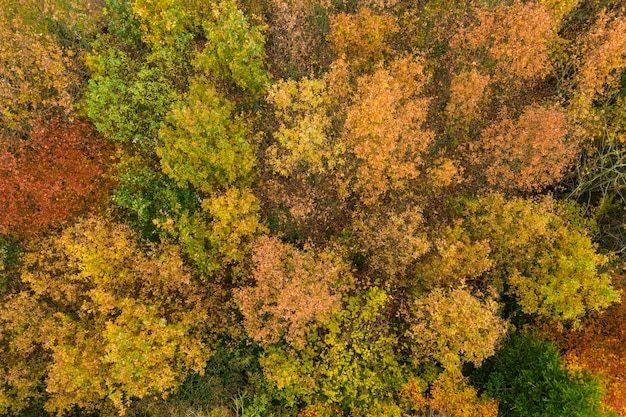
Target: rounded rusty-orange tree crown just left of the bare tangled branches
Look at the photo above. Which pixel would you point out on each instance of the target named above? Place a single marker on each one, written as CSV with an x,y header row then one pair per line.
x,y
526,154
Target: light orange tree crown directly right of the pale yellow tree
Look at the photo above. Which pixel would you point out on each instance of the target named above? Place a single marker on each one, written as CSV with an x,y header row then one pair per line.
x,y
384,128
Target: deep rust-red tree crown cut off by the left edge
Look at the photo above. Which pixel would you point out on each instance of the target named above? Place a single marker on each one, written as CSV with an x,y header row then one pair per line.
x,y
53,174
